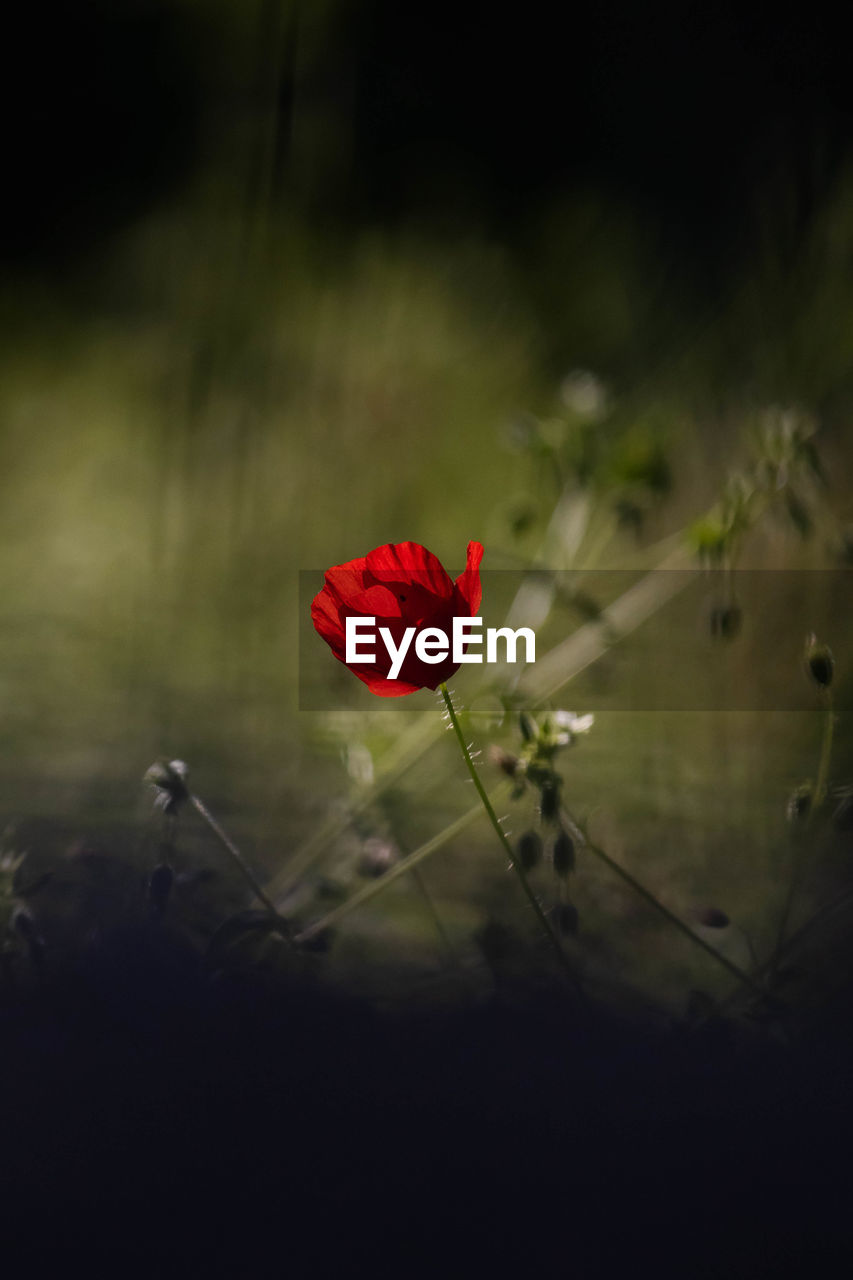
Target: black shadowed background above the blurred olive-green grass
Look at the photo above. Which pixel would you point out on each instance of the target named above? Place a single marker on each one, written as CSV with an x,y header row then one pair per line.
x,y
450,115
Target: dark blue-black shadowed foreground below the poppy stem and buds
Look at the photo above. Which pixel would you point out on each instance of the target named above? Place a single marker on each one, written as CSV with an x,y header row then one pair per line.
x,y
154,1119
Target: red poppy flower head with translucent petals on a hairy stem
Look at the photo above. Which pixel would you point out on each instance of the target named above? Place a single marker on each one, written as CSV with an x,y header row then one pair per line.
x,y
402,588
